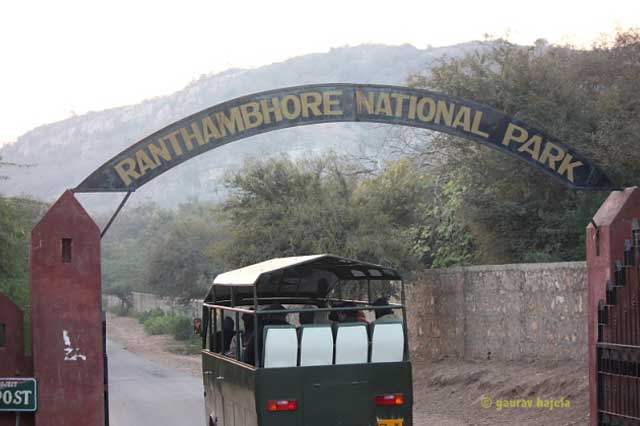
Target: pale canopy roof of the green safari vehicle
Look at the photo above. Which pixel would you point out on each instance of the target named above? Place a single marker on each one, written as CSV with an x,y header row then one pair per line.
x,y
295,277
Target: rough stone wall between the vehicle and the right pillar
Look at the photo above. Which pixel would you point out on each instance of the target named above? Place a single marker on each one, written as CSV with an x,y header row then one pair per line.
x,y
508,312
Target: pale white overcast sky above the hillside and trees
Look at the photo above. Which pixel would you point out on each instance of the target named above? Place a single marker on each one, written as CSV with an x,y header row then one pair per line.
x,y
62,58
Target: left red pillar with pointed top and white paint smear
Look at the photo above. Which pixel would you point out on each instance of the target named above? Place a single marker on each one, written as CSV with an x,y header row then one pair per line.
x,y
66,312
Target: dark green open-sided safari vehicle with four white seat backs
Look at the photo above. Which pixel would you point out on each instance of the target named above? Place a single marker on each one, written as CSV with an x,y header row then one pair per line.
x,y
323,373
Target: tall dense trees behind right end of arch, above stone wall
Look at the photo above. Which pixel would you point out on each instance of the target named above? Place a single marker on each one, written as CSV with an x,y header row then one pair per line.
x,y
514,212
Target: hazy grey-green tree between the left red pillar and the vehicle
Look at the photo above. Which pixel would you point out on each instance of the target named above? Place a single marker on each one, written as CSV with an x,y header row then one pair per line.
x,y
160,251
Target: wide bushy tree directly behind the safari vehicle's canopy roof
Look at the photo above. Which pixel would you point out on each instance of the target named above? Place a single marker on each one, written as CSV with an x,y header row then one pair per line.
x,y
279,207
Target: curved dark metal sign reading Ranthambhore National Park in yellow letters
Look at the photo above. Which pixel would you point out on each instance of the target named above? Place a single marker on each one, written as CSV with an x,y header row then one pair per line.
x,y
328,103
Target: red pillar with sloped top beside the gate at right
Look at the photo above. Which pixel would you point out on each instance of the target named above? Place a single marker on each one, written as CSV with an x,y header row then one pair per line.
x,y
605,245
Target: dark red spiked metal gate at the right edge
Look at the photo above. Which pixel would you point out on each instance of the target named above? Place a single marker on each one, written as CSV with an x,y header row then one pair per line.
x,y
617,357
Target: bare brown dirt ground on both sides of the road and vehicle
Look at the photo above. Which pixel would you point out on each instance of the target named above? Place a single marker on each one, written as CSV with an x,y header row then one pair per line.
x,y
446,393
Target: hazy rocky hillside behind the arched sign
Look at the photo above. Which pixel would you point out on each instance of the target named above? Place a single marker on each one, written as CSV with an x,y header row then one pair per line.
x,y
64,153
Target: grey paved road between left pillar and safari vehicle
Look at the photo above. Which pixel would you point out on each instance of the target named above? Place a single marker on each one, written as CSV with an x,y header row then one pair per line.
x,y
143,393
